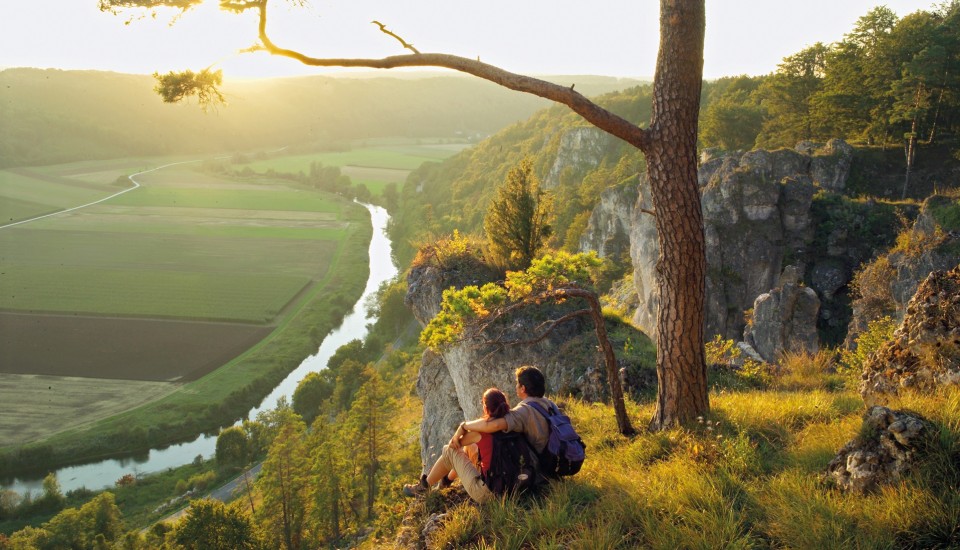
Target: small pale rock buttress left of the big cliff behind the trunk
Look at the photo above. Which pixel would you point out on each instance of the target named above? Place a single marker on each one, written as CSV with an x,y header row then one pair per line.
x,y
608,231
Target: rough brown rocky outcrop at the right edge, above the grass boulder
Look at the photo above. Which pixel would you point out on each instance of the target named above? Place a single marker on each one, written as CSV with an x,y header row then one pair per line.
x,y
925,350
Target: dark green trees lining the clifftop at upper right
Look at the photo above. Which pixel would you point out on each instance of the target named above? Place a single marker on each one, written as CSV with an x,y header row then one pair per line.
x,y
890,81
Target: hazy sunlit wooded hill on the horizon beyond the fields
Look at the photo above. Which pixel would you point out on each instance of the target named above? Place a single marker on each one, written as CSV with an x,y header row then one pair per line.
x,y
52,116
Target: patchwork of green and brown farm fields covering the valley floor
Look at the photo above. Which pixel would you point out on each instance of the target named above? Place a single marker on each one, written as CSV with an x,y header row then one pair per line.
x,y
178,298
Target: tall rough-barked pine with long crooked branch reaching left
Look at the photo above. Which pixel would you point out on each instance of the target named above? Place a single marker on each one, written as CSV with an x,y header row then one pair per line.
x,y
669,143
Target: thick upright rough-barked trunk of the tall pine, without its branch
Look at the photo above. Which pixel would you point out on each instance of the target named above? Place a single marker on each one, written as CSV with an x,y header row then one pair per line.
x,y
672,169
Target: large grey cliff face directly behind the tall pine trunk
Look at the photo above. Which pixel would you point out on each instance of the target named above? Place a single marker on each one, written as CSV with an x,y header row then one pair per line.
x,y
756,208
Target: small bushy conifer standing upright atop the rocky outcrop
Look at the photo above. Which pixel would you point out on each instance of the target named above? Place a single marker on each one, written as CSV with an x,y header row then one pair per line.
x,y
516,221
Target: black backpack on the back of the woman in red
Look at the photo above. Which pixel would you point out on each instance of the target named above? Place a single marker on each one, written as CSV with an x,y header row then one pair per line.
x,y
512,468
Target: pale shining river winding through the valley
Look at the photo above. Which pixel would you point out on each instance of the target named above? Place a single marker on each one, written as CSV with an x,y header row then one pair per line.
x,y
102,474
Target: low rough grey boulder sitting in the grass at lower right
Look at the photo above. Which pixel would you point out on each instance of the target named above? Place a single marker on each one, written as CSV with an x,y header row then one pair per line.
x,y
884,455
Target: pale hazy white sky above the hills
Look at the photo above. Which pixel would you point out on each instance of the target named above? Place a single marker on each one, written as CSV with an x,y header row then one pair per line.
x,y
605,37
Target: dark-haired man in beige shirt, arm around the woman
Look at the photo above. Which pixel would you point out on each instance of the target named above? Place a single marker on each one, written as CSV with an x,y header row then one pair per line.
x,y
522,418
